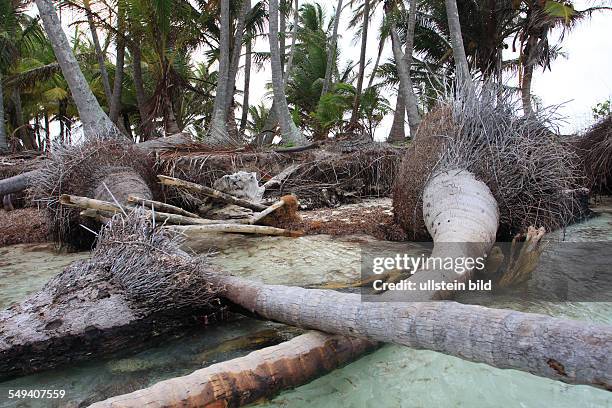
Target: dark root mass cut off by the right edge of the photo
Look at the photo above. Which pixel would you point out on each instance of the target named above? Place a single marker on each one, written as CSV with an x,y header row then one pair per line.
x,y
595,151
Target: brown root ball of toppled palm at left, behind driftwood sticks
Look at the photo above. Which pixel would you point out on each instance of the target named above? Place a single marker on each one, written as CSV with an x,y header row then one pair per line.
x,y
85,170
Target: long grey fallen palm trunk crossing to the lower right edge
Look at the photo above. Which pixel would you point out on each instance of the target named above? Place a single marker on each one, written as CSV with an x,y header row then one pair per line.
x,y
566,350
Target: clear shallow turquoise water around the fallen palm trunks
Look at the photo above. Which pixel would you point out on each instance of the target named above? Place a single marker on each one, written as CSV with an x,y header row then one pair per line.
x,y
393,376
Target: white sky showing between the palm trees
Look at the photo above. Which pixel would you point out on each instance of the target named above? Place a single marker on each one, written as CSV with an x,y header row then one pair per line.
x,y
579,81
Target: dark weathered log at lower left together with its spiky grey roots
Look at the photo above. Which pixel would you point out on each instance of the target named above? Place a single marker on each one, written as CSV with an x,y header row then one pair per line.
x,y
91,310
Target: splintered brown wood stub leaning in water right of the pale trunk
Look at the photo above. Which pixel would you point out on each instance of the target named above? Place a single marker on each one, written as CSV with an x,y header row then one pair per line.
x,y
523,263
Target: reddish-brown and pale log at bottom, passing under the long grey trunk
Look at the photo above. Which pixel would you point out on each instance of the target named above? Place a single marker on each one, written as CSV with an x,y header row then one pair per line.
x,y
247,379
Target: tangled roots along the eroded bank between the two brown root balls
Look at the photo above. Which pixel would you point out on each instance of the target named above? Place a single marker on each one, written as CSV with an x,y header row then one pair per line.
x,y
323,177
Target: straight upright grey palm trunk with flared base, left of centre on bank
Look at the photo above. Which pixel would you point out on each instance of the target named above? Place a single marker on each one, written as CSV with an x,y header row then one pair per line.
x,y
217,132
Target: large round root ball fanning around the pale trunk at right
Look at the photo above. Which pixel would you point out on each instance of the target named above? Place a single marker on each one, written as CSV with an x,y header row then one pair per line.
x,y
526,167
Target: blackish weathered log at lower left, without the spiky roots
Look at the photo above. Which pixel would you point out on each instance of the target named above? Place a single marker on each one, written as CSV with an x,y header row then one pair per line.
x,y
81,314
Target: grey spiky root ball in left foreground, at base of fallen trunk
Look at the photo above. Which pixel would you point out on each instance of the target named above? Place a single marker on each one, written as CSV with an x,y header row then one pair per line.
x,y
149,266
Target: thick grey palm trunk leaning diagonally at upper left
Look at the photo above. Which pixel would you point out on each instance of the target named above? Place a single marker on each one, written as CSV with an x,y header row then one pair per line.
x,y
95,121
